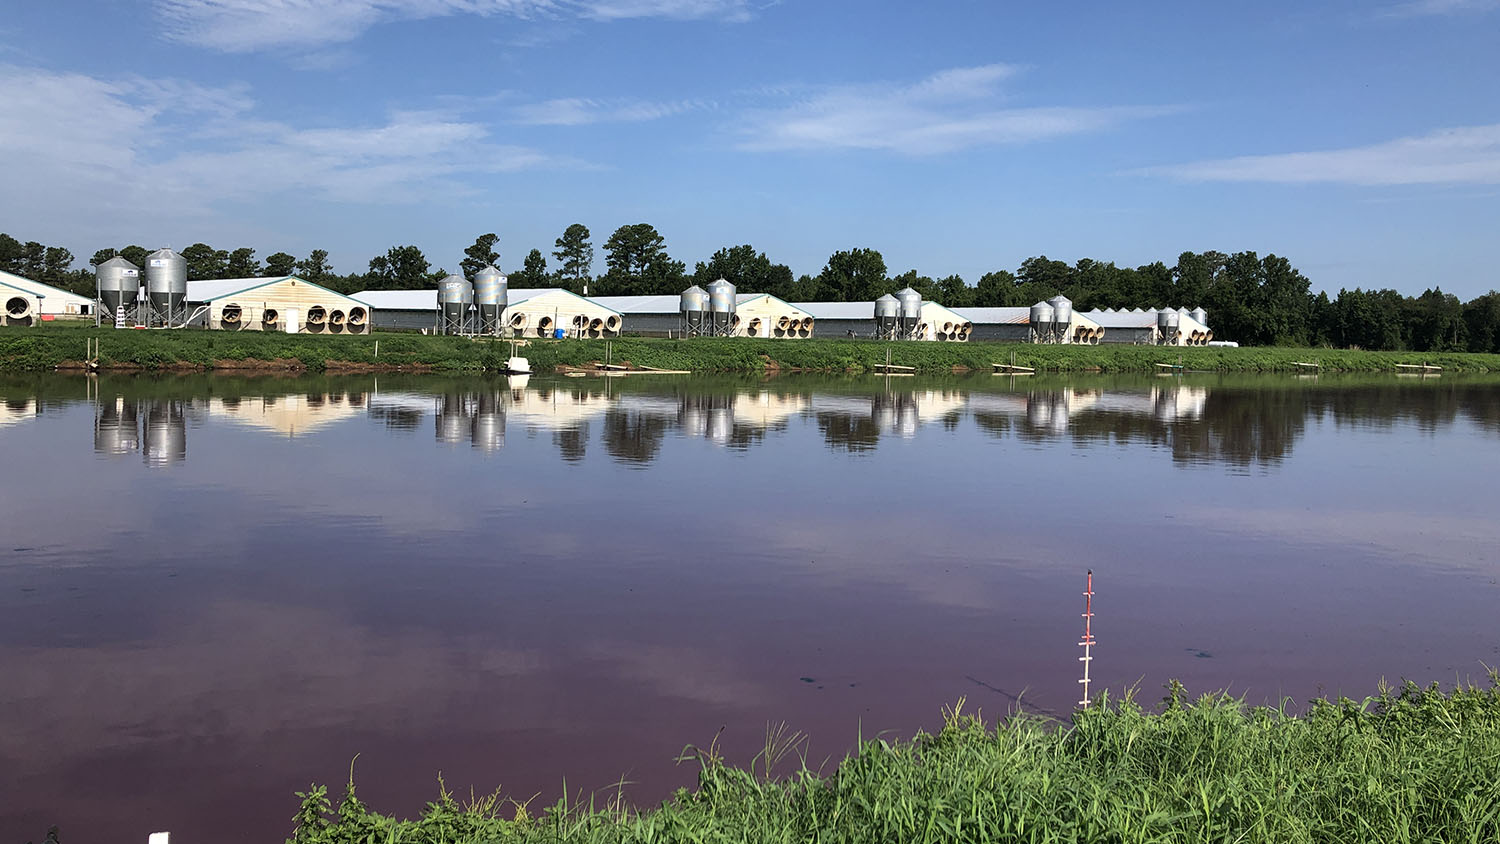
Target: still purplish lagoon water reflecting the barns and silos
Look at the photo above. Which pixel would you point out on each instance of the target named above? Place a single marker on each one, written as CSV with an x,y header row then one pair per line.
x,y
215,590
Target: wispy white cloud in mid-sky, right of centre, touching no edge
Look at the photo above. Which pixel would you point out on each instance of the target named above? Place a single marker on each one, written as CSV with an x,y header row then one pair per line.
x,y
952,110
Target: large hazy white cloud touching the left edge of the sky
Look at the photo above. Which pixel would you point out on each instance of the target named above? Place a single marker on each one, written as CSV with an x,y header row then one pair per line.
x,y
166,148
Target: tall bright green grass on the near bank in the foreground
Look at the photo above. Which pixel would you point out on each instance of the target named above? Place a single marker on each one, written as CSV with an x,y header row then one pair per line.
x,y
1418,765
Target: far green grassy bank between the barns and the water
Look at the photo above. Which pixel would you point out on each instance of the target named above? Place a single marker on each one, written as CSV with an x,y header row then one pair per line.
x,y
53,347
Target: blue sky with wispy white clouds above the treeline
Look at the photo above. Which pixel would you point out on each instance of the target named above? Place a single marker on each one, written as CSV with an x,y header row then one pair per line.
x,y
1360,140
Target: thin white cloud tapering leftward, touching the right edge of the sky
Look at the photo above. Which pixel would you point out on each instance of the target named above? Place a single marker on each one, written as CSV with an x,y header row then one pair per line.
x,y
1468,155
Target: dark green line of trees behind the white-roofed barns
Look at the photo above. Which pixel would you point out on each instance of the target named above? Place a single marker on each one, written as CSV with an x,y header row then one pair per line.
x,y
1256,301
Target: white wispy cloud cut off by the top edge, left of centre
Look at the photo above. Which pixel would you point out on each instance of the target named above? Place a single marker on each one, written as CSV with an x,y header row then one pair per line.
x,y
247,26
